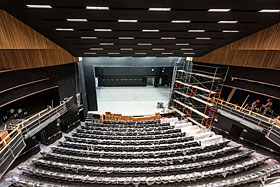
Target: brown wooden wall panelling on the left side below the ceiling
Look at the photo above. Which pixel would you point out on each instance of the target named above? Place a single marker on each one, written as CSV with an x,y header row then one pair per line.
x,y
22,47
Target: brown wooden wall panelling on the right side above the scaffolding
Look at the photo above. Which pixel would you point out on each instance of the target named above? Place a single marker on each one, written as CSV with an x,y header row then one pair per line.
x,y
260,50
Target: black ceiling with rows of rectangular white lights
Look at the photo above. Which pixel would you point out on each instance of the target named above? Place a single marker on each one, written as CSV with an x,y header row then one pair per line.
x,y
46,20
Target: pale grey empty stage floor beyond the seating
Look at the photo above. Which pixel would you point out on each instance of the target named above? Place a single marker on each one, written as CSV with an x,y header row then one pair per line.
x,y
131,100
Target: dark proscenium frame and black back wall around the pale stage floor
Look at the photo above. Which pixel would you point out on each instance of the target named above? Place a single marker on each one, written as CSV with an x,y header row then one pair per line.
x,y
119,68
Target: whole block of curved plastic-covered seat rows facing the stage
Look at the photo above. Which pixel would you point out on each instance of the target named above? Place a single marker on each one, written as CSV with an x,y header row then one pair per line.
x,y
150,153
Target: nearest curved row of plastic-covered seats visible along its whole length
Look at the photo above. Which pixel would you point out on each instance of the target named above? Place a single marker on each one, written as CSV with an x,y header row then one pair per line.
x,y
194,176
